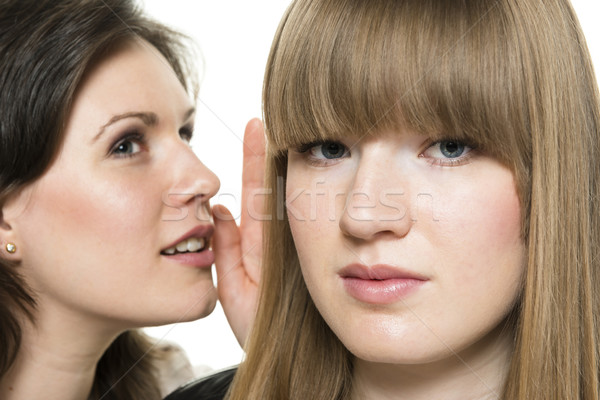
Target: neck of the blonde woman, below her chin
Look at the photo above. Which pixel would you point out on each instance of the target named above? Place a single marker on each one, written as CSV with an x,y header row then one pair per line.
x,y
478,373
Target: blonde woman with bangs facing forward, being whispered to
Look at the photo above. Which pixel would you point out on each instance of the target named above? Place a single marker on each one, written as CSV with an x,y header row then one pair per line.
x,y
439,237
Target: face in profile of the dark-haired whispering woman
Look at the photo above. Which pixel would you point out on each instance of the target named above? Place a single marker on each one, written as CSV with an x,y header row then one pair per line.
x,y
94,233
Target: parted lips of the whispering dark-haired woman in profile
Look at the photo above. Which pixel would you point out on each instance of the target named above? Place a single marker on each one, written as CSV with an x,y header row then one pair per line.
x,y
193,248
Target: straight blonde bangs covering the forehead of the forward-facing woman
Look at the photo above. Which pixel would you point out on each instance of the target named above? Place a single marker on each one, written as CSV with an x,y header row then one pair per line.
x,y
444,69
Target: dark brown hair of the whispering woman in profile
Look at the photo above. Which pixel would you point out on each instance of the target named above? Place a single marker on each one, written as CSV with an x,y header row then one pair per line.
x,y
46,46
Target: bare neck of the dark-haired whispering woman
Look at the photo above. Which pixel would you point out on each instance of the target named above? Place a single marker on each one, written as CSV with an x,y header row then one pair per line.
x,y
56,360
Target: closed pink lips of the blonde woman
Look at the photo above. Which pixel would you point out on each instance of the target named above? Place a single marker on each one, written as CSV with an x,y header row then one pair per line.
x,y
379,284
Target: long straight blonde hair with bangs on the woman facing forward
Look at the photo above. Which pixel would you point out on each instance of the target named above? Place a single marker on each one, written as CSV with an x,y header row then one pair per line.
x,y
512,76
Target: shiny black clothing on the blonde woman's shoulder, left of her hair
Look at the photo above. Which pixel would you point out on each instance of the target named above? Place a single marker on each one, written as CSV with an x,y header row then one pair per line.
x,y
212,387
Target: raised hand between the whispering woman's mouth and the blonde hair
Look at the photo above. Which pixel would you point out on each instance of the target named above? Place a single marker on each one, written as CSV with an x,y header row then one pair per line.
x,y
238,250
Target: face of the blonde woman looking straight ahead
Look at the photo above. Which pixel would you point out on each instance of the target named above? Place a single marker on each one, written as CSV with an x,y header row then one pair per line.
x,y
411,250
